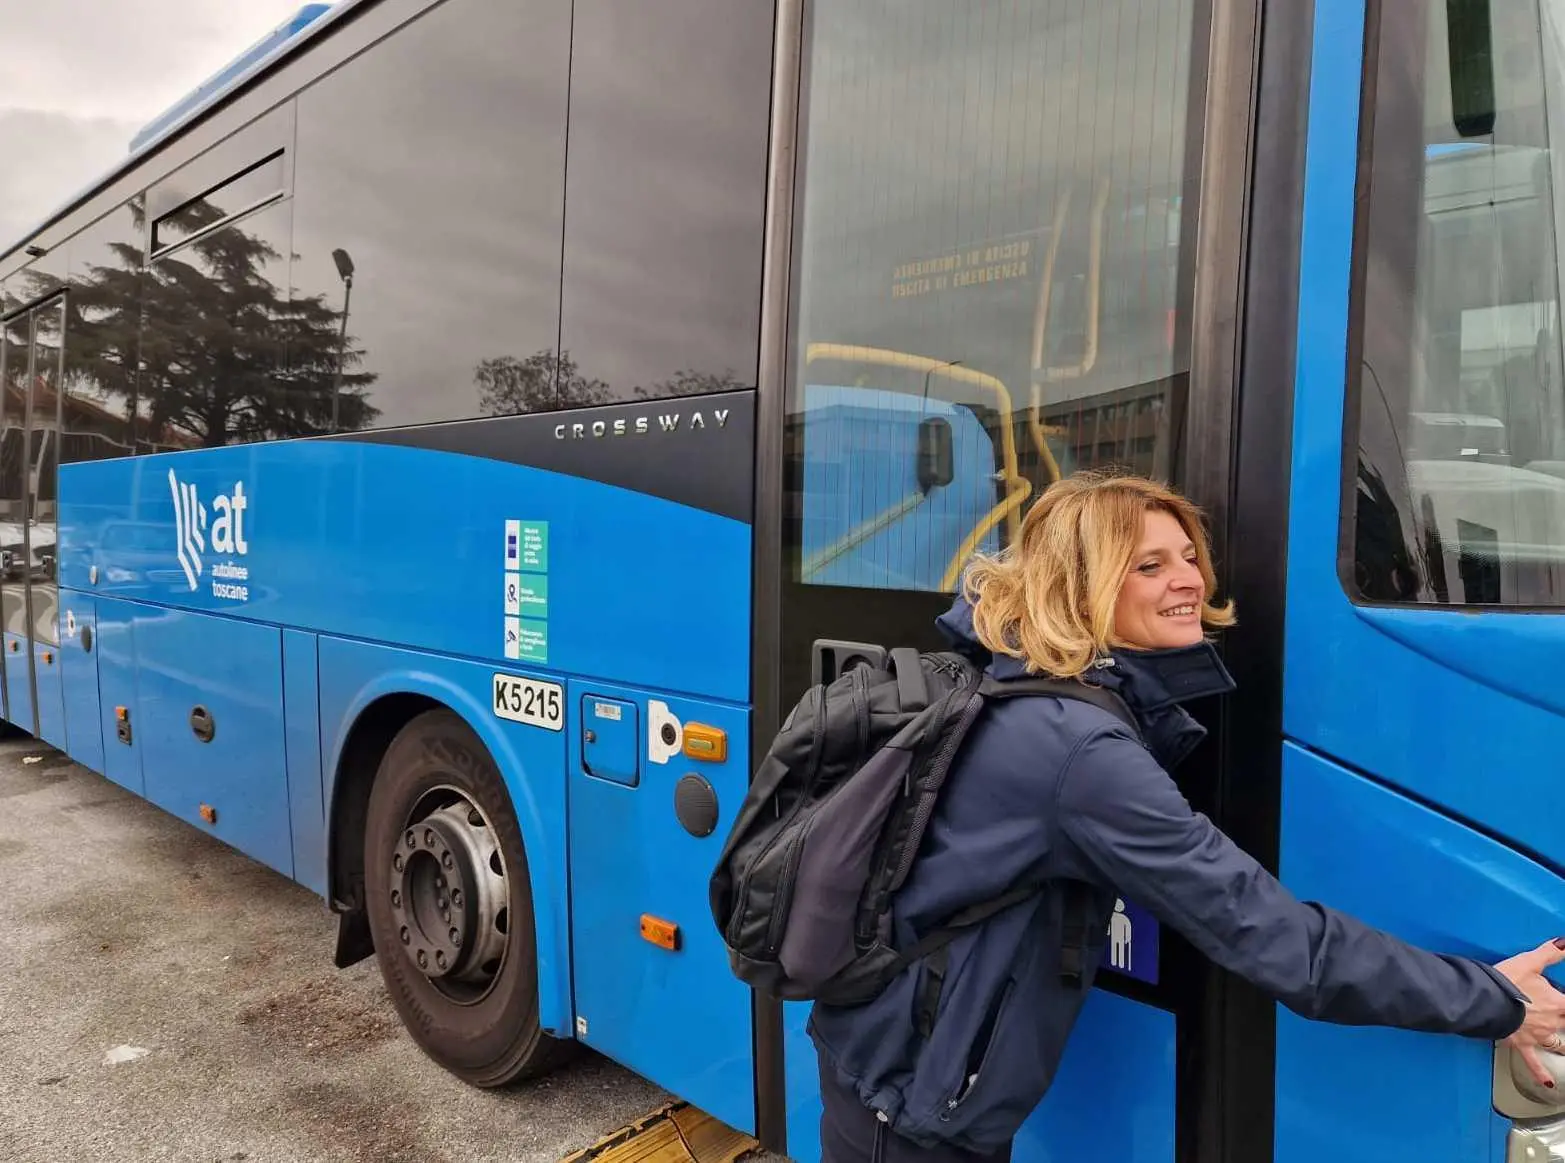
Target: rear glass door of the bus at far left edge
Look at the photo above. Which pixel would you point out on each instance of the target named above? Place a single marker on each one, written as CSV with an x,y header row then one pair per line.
x,y
29,502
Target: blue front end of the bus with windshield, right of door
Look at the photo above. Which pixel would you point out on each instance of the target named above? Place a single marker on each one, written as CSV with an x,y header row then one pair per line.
x,y
1423,707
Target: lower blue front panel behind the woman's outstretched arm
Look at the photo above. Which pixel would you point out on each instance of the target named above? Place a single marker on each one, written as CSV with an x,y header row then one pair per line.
x,y
1398,866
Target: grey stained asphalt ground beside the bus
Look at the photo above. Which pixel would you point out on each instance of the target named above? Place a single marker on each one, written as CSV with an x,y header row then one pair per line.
x,y
165,998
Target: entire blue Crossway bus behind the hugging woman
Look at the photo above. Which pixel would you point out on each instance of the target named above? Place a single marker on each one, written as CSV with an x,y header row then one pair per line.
x,y
444,448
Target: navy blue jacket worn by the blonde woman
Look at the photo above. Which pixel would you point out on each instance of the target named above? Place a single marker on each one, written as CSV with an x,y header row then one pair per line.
x,y
1063,790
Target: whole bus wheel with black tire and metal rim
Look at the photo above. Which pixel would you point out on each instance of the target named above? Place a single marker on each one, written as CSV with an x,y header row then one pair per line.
x,y
452,906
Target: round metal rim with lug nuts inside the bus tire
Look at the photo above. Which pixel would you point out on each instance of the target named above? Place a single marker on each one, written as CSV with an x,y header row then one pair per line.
x,y
450,896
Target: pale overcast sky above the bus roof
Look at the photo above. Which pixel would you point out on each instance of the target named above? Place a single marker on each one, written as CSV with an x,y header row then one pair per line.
x,y
82,77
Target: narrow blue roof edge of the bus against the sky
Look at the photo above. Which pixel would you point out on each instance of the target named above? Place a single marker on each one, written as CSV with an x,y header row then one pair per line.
x,y
284,41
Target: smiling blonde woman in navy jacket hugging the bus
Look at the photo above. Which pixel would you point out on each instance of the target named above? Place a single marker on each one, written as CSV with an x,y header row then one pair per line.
x,y
1109,585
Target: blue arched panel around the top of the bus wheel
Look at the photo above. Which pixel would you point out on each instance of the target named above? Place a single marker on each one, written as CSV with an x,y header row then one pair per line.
x,y
531,760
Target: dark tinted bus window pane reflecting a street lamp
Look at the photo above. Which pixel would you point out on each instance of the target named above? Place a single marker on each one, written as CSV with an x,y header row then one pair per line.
x,y
428,217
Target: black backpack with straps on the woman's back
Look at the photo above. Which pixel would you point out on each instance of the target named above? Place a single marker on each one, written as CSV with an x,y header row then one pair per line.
x,y
836,815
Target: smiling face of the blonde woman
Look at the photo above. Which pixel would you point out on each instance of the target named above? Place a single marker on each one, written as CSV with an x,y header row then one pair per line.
x,y
1160,602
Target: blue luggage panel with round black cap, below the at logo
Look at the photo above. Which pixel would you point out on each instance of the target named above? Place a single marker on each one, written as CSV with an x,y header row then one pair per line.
x,y
210,716
